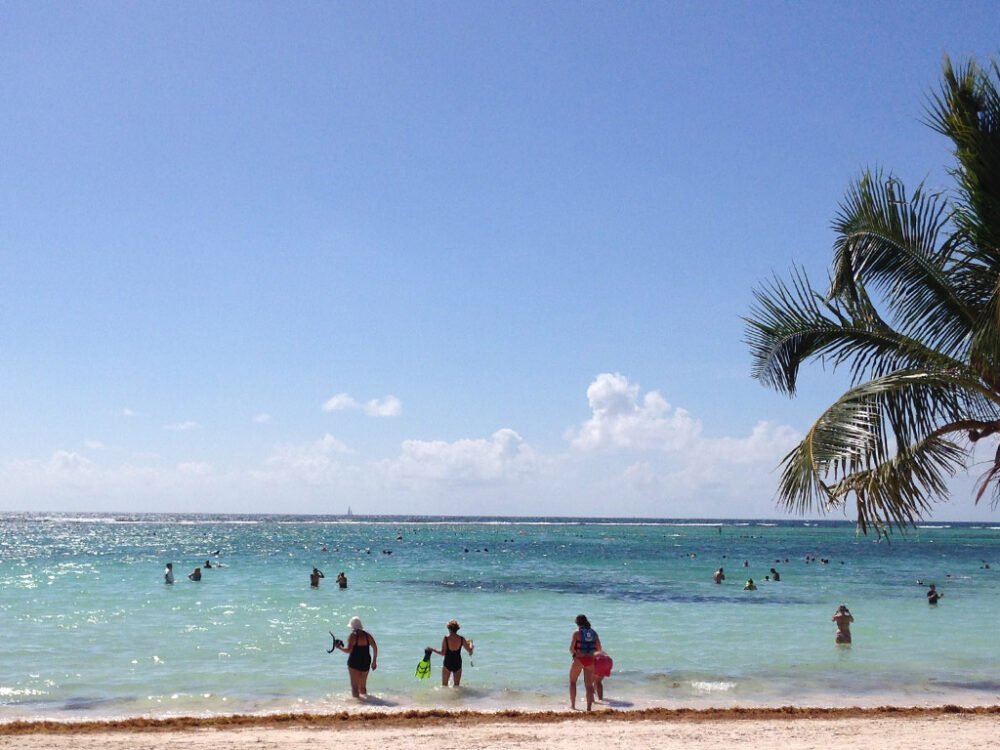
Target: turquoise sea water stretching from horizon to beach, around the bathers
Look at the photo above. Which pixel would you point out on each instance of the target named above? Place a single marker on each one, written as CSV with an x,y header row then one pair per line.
x,y
90,631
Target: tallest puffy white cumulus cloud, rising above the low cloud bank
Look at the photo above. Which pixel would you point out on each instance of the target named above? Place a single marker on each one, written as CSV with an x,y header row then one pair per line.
x,y
619,420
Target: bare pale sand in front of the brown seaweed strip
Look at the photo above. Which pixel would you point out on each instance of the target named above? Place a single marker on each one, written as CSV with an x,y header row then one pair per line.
x,y
878,732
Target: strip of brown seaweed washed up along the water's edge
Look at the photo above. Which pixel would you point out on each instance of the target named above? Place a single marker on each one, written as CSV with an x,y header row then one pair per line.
x,y
465,718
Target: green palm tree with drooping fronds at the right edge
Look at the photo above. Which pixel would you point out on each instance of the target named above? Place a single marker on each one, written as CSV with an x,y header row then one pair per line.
x,y
913,313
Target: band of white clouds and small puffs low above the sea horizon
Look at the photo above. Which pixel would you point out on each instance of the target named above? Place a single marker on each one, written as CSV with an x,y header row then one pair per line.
x,y
635,455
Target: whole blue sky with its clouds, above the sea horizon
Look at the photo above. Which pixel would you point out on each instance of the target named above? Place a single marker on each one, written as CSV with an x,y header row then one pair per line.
x,y
435,257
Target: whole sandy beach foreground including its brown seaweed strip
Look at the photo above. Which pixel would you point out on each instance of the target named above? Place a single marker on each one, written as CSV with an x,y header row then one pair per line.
x,y
788,728
